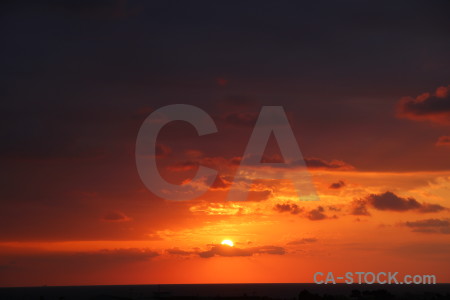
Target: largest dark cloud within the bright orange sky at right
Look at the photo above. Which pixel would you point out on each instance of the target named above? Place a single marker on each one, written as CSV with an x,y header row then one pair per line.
x,y
389,201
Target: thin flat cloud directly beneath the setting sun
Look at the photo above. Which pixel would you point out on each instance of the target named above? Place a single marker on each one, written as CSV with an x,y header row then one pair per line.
x,y
224,250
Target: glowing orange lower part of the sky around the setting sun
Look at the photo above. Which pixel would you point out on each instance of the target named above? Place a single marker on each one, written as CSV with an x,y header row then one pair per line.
x,y
271,245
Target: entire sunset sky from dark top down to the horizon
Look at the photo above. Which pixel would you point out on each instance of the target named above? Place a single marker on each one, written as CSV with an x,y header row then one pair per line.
x,y
365,87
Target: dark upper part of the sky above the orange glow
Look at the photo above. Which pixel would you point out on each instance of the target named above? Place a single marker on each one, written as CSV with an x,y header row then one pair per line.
x,y
78,77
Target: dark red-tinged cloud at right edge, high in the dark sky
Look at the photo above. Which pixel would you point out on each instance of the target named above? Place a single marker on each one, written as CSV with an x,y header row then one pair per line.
x,y
433,107
